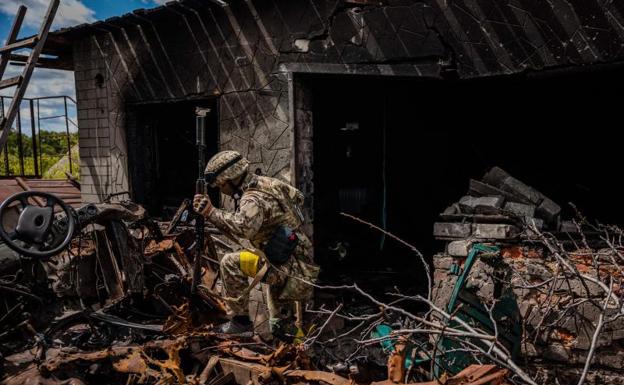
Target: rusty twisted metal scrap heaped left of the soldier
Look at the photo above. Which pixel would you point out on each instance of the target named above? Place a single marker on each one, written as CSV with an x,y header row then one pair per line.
x,y
138,323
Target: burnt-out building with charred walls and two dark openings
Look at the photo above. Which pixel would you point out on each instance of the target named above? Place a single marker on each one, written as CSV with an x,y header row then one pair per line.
x,y
380,109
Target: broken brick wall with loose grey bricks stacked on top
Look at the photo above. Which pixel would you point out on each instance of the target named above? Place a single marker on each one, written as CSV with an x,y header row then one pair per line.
x,y
558,311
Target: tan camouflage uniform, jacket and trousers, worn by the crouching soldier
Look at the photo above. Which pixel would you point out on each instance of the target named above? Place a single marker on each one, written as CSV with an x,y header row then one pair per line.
x,y
265,204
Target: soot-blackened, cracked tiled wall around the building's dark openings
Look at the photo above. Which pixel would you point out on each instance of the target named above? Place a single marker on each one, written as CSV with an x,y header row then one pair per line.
x,y
243,53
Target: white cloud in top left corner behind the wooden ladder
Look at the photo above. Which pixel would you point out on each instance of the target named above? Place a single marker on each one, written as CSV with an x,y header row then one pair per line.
x,y
70,12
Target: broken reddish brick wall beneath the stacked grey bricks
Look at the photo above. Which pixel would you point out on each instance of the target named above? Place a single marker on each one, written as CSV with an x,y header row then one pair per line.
x,y
558,318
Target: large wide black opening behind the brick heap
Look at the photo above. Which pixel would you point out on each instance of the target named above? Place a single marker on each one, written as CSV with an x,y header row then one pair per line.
x,y
397,152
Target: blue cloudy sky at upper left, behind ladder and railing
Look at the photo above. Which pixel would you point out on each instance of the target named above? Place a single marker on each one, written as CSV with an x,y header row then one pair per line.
x,y
71,12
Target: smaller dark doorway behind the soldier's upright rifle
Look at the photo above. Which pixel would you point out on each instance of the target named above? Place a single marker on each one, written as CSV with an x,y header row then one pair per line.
x,y
163,155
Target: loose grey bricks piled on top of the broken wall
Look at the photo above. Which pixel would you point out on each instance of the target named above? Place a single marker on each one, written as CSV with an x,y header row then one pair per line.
x,y
497,208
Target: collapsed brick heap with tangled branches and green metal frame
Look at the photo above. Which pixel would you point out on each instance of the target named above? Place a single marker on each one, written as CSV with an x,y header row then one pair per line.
x,y
550,285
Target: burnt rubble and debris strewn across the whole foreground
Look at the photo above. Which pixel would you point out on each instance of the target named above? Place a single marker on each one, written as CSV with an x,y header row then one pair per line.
x,y
519,295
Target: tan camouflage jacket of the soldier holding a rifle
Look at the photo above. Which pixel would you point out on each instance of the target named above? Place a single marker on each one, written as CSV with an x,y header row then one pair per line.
x,y
265,204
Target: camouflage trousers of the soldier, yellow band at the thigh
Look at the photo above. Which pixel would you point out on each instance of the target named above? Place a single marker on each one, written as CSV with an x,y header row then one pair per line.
x,y
279,301
